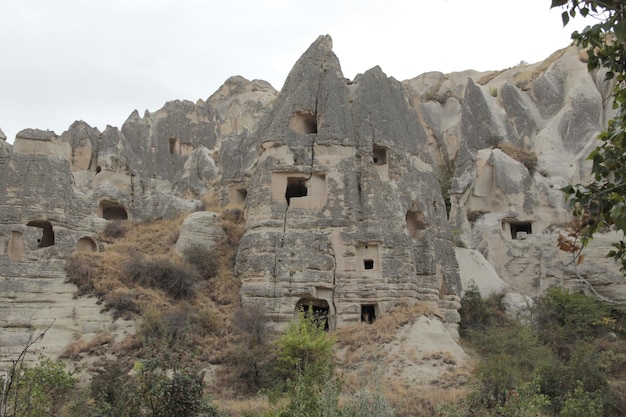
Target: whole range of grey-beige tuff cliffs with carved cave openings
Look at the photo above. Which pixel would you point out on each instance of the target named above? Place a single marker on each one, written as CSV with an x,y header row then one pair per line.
x,y
346,185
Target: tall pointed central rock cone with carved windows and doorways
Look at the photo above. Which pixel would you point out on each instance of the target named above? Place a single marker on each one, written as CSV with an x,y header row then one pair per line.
x,y
343,211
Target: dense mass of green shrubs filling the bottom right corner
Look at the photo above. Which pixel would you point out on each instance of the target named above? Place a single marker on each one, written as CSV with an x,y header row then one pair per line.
x,y
566,363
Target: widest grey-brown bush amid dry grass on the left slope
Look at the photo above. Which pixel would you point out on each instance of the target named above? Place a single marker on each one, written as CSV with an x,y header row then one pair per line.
x,y
177,280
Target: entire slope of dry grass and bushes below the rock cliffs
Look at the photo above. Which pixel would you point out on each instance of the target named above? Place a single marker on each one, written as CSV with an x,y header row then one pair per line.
x,y
196,352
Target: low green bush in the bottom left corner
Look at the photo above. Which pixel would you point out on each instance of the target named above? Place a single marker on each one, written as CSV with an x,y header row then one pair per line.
x,y
39,390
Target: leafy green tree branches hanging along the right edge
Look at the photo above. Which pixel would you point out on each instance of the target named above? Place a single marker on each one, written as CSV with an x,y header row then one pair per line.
x,y
602,202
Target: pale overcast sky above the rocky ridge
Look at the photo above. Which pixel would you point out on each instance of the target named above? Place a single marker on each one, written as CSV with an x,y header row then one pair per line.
x,y
98,60
